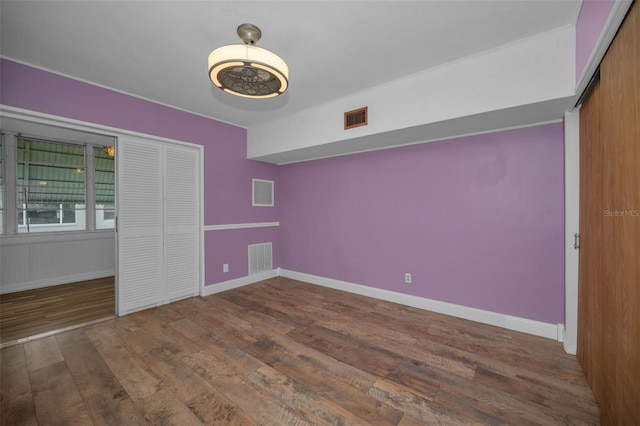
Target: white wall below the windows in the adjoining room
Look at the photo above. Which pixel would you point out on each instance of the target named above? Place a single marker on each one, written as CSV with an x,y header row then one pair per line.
x,y
41,260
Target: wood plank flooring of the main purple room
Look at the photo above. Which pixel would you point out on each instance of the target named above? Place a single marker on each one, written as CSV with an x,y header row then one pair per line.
x,y
282,352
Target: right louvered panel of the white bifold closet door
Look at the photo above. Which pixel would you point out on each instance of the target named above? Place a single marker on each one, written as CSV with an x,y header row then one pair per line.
x,y
182,221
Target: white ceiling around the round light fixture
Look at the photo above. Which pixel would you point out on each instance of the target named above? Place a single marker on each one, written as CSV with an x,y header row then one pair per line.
x,y
158,49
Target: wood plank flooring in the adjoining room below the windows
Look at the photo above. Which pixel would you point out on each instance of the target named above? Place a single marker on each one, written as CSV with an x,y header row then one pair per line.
x,y
33,312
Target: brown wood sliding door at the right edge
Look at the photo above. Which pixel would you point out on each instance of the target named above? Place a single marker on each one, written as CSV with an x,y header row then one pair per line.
x,y
609,271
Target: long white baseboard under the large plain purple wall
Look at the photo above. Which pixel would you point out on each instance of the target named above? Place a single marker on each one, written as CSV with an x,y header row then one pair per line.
x,y
509,322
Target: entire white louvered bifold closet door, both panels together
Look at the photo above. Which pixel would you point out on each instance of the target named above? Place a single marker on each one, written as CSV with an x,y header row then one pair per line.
x,y
159,226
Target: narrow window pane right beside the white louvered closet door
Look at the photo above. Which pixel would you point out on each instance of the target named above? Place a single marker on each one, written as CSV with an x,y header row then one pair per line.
x,y
104,187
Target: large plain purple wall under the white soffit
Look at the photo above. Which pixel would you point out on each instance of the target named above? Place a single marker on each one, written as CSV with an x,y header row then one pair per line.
x,y
478,221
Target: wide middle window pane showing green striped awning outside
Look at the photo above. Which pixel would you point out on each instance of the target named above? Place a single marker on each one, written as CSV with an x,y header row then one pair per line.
x,y
50,186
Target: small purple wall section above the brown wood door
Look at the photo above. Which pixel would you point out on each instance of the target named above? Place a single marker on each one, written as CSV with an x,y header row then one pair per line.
x,y
591,19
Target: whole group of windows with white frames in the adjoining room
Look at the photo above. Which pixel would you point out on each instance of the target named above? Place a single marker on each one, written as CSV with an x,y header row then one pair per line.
x,y
54,178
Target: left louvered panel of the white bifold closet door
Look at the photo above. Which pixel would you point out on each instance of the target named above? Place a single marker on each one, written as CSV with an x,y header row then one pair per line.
x,y
139,224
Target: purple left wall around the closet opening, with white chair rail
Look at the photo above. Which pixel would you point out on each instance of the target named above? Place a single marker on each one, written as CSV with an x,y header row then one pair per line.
x,y
227,172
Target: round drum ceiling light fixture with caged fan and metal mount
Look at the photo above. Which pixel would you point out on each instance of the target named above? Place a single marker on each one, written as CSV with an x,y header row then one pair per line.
x,y
247,70
